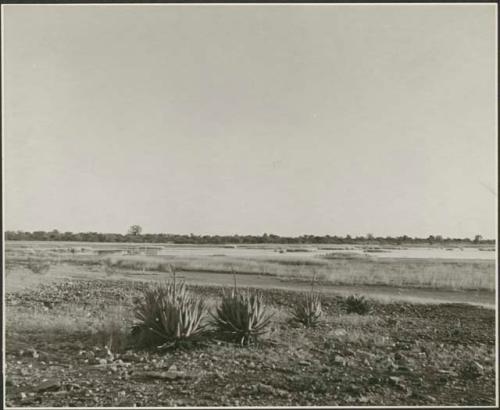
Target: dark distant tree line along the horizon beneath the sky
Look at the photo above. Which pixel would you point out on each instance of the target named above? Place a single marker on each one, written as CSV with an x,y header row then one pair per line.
x,y
134,235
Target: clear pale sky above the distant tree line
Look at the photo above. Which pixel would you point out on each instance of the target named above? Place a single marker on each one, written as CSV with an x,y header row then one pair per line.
x,y
251,119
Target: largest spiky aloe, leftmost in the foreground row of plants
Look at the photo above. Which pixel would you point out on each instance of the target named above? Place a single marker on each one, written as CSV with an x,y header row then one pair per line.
x,y
168,315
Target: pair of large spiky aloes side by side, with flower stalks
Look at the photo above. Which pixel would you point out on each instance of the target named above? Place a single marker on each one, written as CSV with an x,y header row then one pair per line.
x,y
169,315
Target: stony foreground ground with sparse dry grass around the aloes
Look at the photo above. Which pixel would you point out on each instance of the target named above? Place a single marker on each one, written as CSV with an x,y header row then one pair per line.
x,y
399,354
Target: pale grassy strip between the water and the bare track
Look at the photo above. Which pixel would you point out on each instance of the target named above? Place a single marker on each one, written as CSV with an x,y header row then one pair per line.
x,y
334,268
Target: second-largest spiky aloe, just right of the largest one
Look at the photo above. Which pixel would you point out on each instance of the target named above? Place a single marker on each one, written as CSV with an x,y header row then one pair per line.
x,y
242,315
